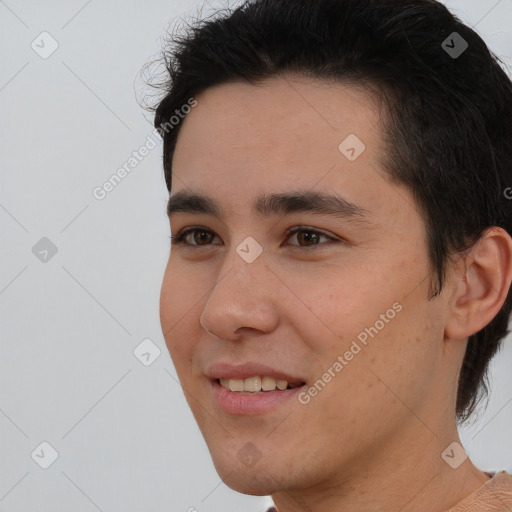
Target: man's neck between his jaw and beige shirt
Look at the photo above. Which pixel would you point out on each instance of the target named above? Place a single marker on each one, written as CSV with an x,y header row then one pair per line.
x,y
408,475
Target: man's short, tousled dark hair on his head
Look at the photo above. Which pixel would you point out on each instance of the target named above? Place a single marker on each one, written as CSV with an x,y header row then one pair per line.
x,y
447,123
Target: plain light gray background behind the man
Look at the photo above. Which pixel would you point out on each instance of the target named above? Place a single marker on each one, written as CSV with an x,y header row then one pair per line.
x,y
125,437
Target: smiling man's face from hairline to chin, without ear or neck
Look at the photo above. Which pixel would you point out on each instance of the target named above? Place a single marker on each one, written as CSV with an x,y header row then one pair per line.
x,y
305,302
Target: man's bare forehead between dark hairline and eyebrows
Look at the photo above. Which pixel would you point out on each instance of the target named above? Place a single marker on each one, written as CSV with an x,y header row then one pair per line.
x,y
244,141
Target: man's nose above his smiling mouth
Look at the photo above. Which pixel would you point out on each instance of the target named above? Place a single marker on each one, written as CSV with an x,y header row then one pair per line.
x,y
245,297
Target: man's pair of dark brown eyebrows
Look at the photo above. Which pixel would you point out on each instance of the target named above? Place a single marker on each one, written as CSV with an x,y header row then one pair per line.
x,y
319,203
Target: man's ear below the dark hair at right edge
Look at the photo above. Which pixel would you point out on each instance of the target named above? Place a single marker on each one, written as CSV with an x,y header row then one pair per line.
x,y
482,284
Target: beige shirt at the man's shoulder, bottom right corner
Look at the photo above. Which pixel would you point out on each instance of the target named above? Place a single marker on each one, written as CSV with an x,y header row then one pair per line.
x,y
494,496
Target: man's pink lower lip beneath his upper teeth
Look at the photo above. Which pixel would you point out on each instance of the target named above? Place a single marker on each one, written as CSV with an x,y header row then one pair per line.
x,y
233,402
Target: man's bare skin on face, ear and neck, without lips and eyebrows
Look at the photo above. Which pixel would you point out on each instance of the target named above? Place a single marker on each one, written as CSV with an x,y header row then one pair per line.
x,y
372,439
